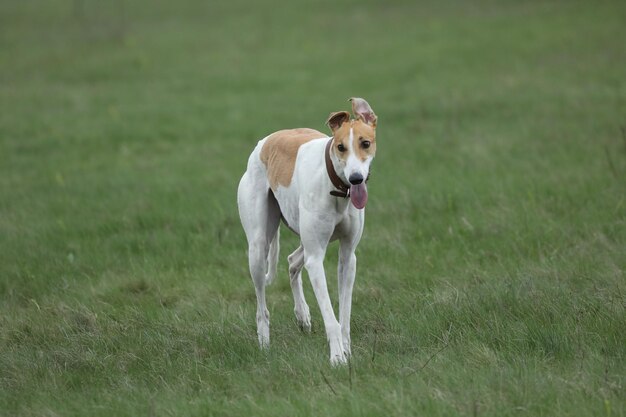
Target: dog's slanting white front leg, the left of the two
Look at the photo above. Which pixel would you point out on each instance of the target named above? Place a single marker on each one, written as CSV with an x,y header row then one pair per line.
x,y
315,236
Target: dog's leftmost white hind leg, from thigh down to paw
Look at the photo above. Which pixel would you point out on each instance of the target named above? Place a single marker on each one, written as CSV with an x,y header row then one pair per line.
x,y
260,222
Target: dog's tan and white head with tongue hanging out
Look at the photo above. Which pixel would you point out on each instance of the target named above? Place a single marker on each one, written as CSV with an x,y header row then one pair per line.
x,y
354,146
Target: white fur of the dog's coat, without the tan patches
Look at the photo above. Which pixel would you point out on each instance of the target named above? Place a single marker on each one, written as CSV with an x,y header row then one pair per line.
x,y
318,218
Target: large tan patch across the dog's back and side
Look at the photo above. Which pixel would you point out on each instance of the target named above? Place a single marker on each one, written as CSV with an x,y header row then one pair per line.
x,y
279,153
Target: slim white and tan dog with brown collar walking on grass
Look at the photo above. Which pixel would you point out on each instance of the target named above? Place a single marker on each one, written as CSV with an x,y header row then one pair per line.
x,y
317,185
